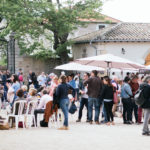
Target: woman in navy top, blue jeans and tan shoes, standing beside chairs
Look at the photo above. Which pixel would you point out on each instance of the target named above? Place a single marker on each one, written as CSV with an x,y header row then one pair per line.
x,y
62,94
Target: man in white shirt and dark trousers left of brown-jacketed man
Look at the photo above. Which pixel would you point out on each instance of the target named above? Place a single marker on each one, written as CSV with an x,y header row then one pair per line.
x,y
84,98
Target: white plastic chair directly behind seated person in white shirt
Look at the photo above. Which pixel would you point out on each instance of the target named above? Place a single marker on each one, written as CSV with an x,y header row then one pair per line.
x,y
32,105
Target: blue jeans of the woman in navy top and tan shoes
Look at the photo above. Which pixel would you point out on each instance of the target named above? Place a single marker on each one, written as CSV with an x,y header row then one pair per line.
x,y
64,103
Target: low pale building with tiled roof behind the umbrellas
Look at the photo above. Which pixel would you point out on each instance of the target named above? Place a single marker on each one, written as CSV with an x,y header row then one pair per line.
x,y
127,40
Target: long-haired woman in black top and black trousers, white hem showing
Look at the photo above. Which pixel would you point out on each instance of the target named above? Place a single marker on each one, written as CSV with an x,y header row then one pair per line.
x,y
107,96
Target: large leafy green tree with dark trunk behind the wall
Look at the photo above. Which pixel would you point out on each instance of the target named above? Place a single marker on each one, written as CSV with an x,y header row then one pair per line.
x,y
53,19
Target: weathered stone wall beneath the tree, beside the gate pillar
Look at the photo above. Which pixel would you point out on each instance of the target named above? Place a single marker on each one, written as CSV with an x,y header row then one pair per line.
x,y
27,63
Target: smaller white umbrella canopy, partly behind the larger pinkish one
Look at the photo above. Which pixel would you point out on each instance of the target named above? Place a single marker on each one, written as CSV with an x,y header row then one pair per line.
x,y
78,67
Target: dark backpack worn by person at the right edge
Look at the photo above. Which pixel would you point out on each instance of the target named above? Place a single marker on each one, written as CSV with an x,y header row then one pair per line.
x,y
139,97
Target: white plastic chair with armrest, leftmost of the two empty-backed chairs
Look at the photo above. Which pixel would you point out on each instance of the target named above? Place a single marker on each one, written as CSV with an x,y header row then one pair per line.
x,y
20,112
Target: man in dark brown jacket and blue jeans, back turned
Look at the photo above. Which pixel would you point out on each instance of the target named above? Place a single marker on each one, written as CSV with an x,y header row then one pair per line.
x,y
94,87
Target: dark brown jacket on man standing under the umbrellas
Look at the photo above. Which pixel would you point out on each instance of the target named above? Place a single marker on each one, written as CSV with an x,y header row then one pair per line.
x,y
94,87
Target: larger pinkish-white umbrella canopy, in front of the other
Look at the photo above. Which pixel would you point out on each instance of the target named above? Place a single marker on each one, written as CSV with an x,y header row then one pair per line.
x,y
109,61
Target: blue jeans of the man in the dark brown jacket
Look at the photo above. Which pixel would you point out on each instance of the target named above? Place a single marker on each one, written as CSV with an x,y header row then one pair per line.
x,y
96,103
